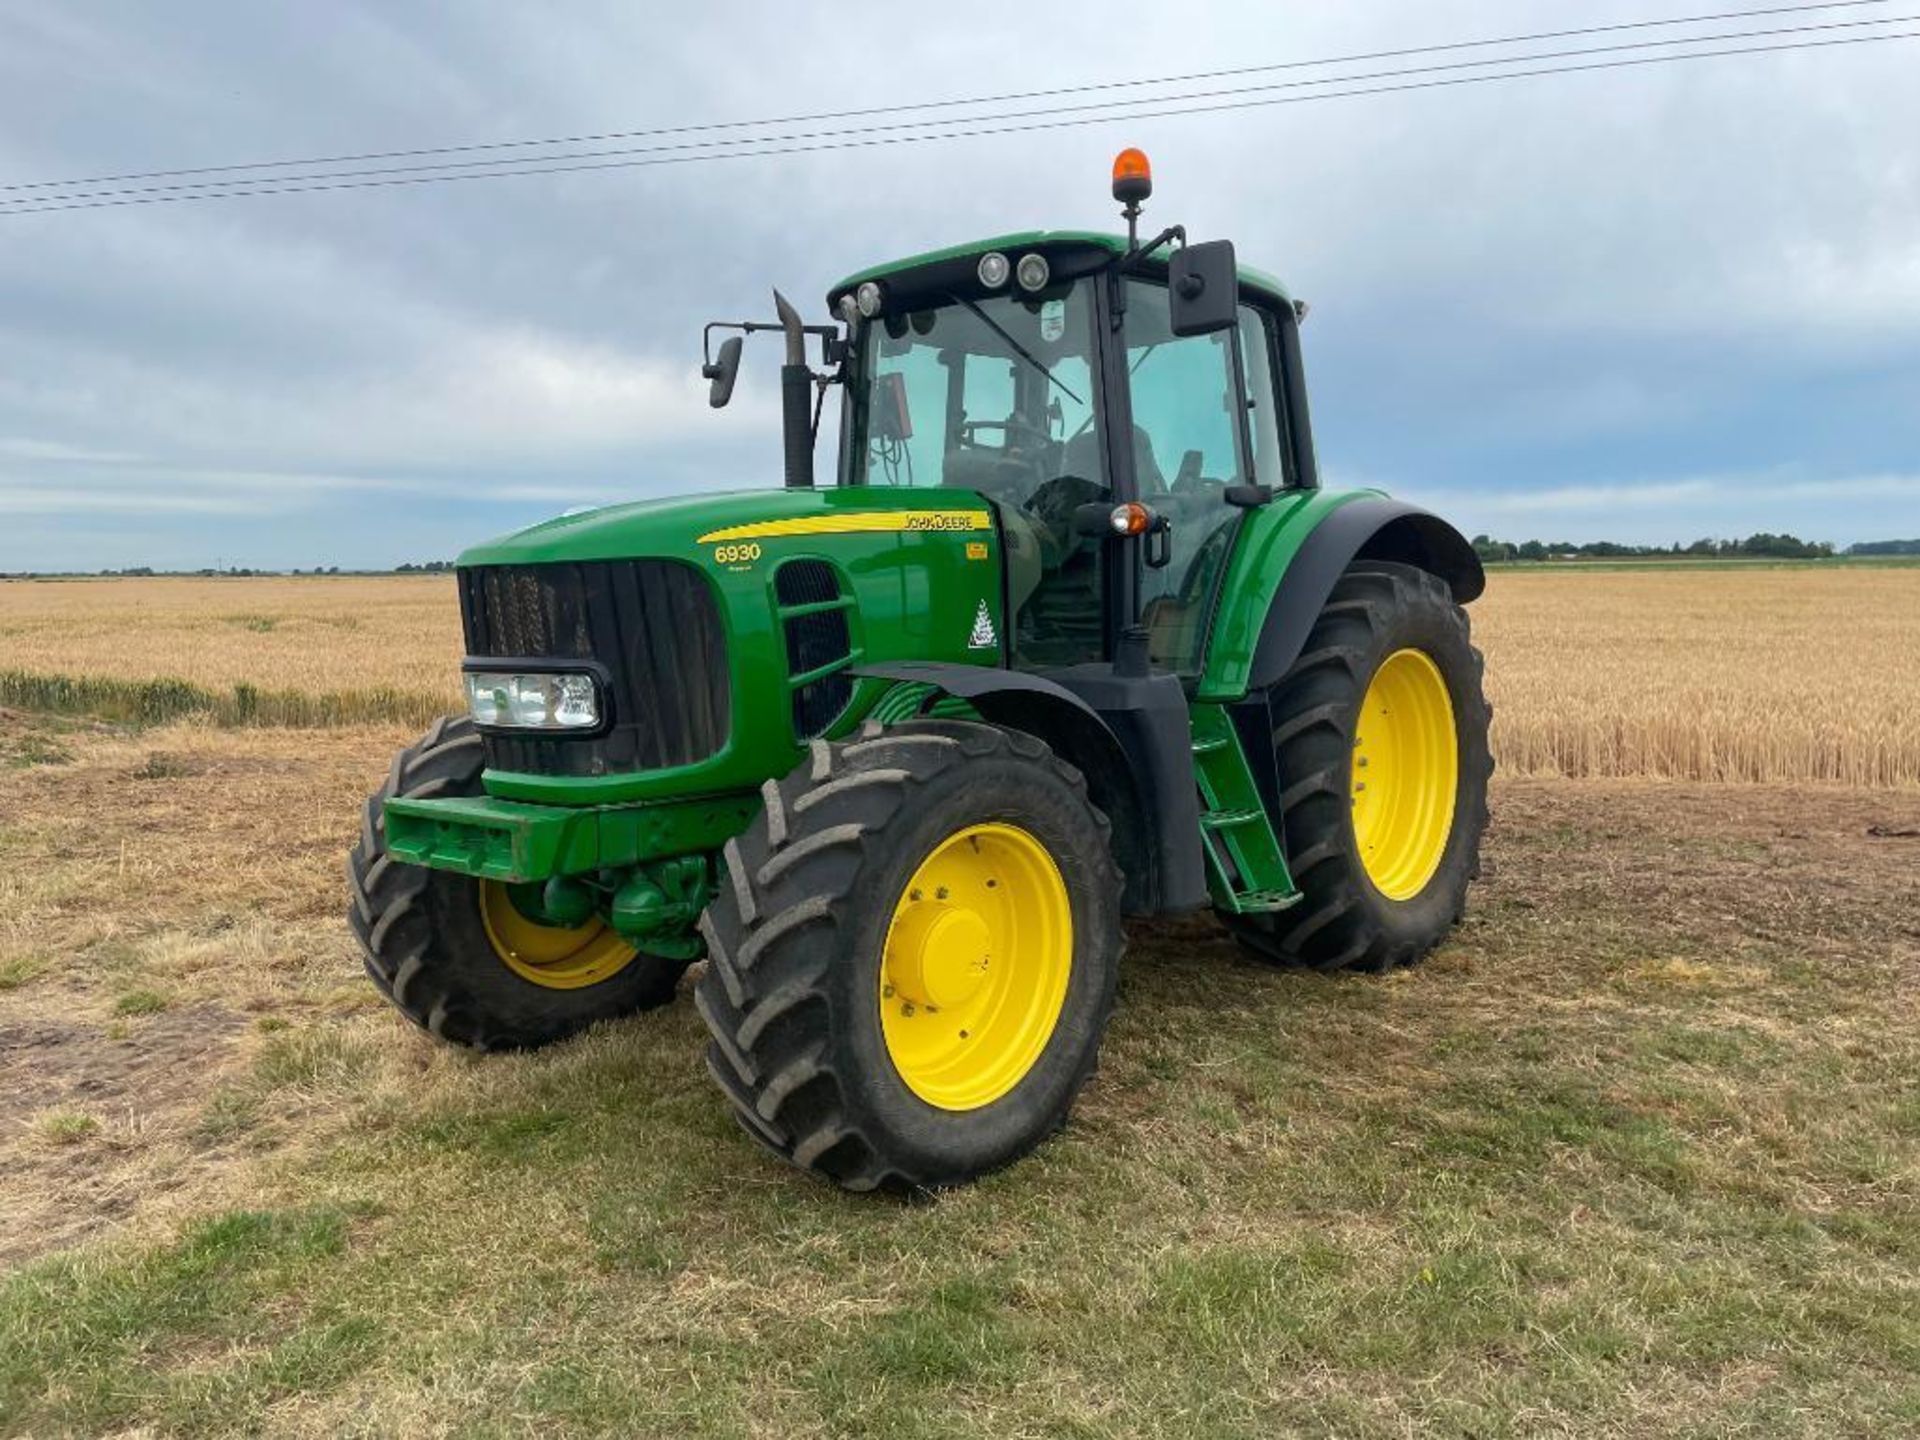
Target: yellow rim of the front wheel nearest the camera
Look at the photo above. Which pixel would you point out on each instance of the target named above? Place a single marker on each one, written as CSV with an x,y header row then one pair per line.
x,y
976,967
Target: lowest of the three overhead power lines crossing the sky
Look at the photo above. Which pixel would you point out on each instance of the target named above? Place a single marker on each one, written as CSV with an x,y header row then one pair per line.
x,y
919,135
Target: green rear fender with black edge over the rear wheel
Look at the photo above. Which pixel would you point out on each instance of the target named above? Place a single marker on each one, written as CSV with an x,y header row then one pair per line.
x,y
1287,562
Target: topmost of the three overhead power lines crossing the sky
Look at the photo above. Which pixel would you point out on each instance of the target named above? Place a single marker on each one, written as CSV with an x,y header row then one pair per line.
x,y
955,103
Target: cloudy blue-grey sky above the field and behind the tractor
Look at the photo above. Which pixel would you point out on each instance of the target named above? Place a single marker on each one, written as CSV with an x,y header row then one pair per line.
x,y
1648,304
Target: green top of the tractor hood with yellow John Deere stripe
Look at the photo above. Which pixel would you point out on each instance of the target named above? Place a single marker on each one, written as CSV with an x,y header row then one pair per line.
x,y
681,527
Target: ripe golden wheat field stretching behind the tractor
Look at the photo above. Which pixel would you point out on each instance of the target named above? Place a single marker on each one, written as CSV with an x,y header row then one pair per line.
x,y
1729,675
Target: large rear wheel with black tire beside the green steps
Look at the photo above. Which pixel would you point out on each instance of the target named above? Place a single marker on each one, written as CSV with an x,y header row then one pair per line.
x,y
1399,909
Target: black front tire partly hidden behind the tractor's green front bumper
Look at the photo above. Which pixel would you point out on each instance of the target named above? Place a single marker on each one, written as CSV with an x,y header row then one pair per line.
x,y
431,948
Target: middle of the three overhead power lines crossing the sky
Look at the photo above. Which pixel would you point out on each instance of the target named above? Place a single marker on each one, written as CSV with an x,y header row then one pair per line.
x,y
450,170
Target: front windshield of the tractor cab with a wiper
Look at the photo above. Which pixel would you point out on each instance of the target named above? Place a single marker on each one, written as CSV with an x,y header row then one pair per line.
x,y
997,396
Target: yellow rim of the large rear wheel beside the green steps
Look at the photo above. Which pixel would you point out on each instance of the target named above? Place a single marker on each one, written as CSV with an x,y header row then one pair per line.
x,y
1406,771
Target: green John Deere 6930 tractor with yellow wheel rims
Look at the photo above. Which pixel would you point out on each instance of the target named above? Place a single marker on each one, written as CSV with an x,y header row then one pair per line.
x,y
1074,635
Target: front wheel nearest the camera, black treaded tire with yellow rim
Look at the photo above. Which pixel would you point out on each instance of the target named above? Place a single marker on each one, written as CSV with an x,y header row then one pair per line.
x,y
913,959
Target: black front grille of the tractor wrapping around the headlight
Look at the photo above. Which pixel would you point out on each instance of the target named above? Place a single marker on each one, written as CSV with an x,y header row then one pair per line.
x,y
654,625
